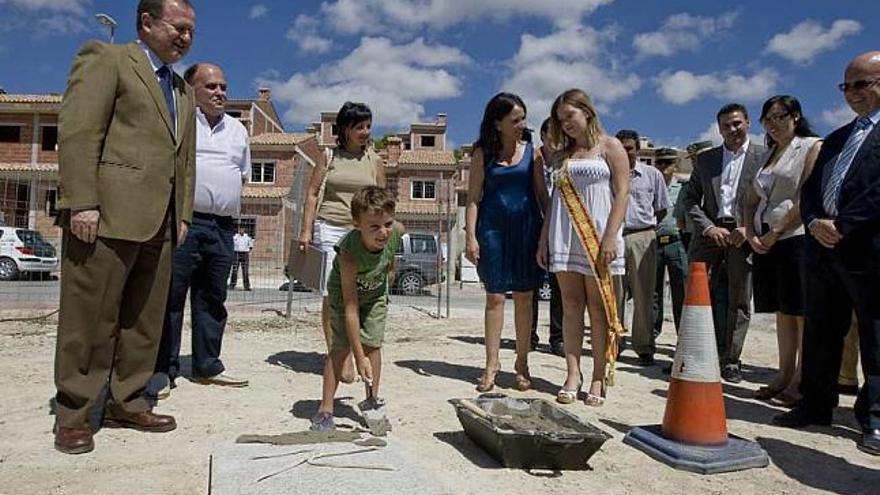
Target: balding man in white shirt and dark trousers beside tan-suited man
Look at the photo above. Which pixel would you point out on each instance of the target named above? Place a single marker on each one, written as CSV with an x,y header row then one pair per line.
x,y
201,264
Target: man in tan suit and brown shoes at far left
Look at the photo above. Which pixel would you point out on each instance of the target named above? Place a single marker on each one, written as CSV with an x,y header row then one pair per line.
x,y
126,163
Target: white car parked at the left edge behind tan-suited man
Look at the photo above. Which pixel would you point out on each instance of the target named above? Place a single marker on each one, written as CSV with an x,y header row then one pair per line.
x,y
25,251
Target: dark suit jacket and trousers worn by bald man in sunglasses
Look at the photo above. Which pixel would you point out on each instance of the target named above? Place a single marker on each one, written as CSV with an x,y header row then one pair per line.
x,y
844,278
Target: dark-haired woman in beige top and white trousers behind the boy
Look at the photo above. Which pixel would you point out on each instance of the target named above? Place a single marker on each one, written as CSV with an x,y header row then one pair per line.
x,y
353,166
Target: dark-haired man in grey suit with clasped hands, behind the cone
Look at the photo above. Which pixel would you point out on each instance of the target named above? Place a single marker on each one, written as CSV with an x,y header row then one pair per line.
x,y
713,200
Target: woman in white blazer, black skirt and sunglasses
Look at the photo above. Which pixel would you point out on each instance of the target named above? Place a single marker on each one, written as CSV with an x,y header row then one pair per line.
x,y
776,234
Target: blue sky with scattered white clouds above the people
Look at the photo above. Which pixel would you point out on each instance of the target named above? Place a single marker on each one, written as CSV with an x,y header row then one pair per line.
x,y
660,67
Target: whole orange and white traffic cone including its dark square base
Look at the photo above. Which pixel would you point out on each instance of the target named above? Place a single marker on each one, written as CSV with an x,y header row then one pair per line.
x,y
694,435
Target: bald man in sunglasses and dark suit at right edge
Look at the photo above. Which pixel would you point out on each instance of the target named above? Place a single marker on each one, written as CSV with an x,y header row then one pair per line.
x,y
840,205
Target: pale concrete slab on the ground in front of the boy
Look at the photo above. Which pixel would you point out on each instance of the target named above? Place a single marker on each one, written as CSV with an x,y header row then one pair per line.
x,y
235,471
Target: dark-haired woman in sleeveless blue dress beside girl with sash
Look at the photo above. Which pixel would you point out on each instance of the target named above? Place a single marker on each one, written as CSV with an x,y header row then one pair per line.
x,y
506,195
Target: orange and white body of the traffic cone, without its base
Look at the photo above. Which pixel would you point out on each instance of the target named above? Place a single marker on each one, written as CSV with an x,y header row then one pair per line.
x,y
695,402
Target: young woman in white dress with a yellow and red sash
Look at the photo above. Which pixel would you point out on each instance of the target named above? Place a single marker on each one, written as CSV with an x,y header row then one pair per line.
x,y
597,170
